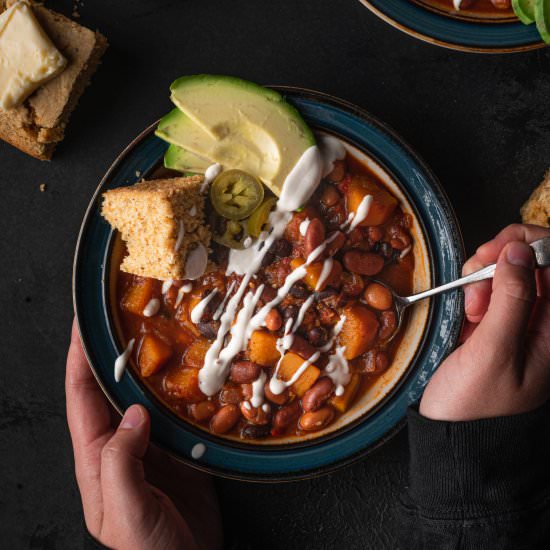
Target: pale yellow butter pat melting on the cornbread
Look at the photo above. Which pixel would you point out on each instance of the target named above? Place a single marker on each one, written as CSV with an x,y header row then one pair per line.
x,y
28,58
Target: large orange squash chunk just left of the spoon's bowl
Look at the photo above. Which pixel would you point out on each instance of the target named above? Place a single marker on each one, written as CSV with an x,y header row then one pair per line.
x,y
359,330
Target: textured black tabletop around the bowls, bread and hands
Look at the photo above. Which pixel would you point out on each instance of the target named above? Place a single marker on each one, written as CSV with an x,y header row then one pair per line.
x,y
481,122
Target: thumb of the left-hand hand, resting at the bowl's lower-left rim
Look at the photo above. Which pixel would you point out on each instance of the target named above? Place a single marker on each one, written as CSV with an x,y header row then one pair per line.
x,y
122,475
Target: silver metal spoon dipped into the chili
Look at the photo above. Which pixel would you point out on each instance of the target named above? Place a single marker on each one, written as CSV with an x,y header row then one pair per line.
x,y
541,249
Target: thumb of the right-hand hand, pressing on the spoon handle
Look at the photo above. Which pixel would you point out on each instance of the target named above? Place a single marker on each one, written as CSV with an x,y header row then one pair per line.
x,y
505,324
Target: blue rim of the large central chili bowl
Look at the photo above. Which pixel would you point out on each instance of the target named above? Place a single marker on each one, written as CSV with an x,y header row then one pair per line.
x,y
352,442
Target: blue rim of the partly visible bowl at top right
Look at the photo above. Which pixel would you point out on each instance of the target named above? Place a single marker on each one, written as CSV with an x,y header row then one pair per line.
x,y
455,33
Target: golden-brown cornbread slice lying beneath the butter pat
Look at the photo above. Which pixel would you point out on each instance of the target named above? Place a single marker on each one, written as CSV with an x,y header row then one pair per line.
x,y
38,125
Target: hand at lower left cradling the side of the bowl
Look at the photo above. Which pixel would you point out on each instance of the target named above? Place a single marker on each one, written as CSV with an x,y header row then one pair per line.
x,y
122,510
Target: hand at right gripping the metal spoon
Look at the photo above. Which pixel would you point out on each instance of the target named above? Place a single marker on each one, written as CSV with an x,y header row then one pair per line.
x,y
503,365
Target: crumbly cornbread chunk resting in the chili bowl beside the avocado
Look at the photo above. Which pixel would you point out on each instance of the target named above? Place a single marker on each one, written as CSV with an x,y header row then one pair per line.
x,y
149,215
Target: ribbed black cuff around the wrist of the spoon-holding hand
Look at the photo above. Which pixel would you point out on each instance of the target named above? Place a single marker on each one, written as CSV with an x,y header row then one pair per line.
x,y
479,468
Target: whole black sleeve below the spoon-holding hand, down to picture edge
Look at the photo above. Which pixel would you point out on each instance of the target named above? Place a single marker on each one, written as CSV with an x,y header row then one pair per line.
x,y
483,484
